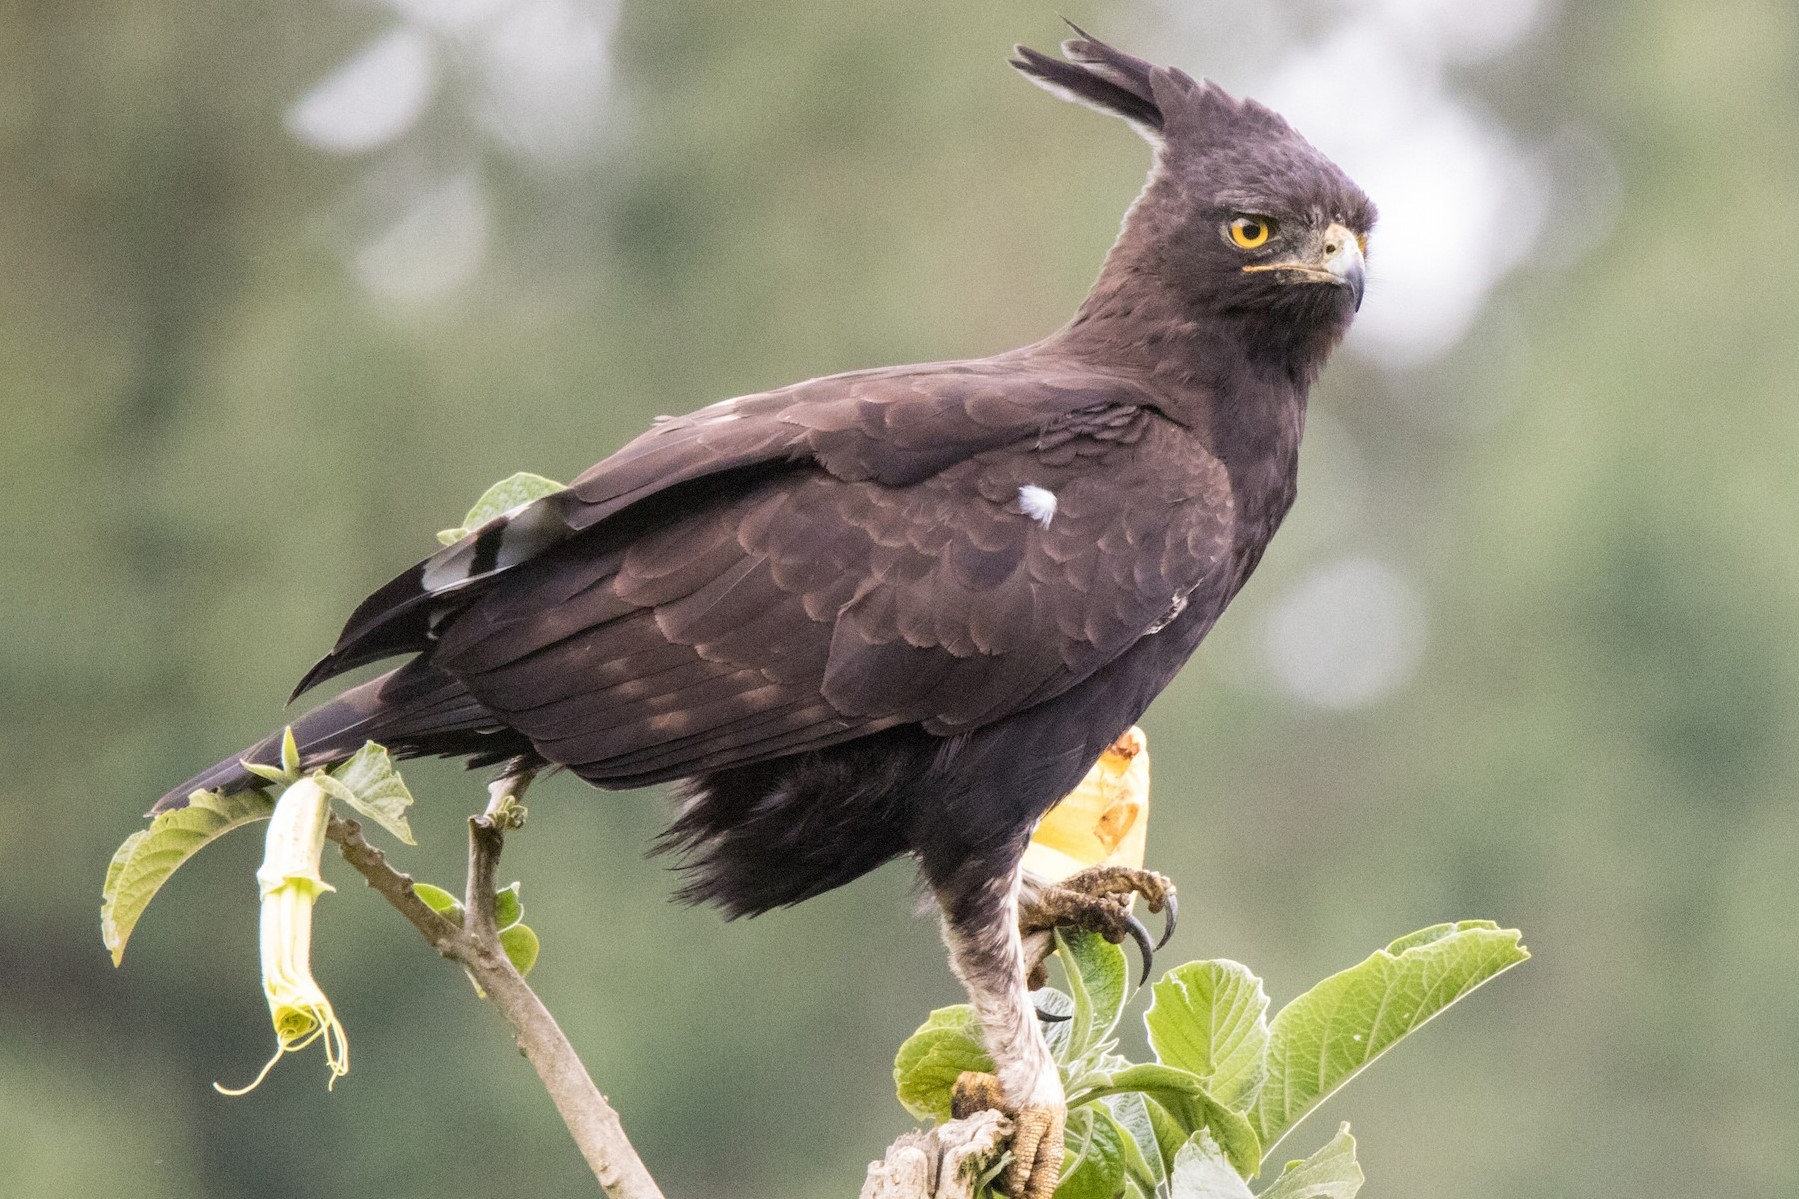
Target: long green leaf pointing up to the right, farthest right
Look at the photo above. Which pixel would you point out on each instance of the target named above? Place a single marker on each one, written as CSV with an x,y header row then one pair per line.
x,y
1332,1032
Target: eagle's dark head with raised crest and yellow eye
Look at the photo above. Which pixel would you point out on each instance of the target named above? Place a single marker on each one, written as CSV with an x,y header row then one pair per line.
x,y
1242,219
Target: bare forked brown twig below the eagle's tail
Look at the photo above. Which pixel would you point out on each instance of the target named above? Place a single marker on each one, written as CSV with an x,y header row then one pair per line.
x,y
478,948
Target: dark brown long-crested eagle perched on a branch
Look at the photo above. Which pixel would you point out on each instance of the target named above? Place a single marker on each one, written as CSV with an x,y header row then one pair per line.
x,y
904,611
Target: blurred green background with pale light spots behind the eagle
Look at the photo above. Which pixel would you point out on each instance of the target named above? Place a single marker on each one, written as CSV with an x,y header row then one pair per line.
x,y
285,287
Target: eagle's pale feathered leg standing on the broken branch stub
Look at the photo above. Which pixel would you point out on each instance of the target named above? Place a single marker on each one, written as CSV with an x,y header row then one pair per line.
x,y
981,930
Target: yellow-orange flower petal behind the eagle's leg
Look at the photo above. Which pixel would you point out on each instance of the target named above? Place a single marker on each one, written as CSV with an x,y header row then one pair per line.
x,y
1104,822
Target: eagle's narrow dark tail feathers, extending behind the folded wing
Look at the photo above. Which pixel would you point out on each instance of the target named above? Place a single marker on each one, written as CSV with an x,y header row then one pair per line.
x,y
413,712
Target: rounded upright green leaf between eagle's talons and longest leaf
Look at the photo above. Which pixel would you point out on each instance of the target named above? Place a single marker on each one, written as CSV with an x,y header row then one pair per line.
x,y
1210,1018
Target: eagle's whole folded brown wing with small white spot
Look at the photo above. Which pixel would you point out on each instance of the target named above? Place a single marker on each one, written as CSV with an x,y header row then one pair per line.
x,y
794,570
